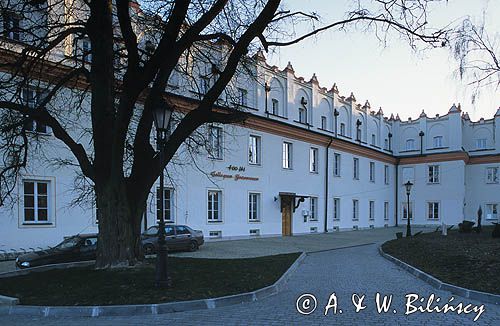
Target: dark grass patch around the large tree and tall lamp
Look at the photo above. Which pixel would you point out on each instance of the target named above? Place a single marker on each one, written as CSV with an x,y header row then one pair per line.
x,y
192,279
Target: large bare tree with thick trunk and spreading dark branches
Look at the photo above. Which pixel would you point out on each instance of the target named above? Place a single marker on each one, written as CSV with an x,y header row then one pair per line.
x,y
91,72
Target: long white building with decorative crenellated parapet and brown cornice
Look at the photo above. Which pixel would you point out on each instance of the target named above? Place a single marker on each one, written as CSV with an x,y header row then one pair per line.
x,y
307,160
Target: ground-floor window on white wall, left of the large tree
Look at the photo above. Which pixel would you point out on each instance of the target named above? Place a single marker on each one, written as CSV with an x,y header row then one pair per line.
x,y
36,201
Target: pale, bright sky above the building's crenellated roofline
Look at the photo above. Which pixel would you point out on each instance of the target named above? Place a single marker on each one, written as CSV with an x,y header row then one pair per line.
x,y
394,77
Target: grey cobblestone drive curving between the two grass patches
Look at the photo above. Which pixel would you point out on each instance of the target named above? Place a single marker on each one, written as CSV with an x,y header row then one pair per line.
x,y
345,271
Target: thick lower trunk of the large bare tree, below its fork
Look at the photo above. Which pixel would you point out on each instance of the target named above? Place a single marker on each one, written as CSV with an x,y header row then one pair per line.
x,y
119,243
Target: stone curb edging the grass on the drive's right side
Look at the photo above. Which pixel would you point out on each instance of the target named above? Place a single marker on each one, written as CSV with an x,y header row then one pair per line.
x,y
483,297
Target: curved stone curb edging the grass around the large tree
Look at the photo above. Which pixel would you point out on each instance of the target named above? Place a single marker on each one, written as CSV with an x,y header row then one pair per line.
x,y
149,309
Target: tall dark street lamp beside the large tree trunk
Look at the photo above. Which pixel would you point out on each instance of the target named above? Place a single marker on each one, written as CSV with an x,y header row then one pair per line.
x,y
161,116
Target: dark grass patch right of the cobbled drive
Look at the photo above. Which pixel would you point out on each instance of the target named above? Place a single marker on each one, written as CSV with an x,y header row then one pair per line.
x,y
468,260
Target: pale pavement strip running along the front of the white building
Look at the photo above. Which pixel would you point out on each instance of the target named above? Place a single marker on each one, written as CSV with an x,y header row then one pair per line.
x,y
265,246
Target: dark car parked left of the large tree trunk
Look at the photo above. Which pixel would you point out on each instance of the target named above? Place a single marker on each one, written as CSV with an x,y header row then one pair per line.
x,y
80,247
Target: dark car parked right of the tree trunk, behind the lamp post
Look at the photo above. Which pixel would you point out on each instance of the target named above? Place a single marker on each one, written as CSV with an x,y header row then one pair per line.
x,y
179,237
